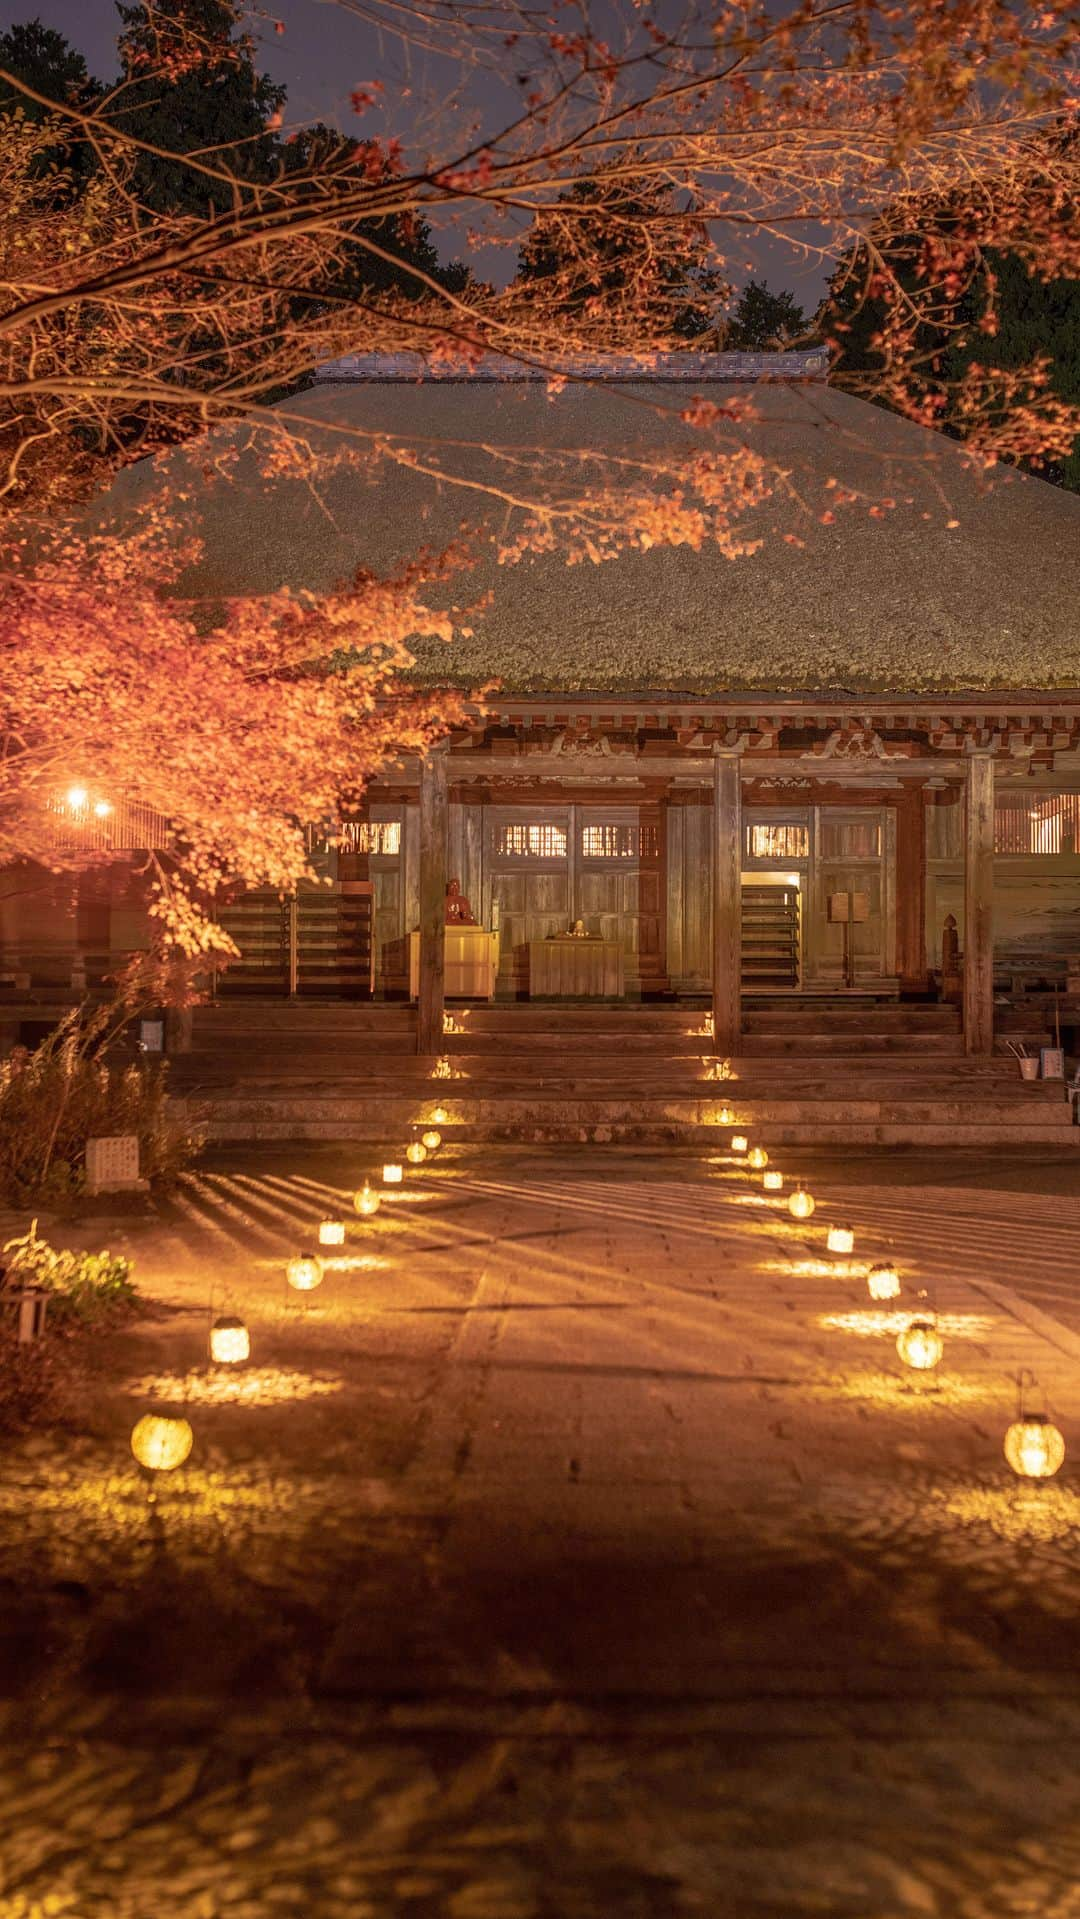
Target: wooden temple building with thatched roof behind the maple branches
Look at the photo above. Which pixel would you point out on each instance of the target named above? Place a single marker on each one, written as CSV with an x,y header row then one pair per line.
x,y
843,765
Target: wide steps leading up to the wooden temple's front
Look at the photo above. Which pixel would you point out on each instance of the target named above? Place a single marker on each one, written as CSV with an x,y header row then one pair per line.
x,y
810,1074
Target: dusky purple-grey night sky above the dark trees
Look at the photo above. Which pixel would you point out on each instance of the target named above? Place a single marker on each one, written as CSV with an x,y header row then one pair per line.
x,y
327,51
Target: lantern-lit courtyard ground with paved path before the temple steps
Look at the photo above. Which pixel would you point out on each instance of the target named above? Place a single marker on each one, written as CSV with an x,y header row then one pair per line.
x,y
576,1550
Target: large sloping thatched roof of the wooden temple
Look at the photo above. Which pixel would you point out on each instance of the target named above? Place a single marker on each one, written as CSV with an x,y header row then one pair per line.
x,y
899,604
